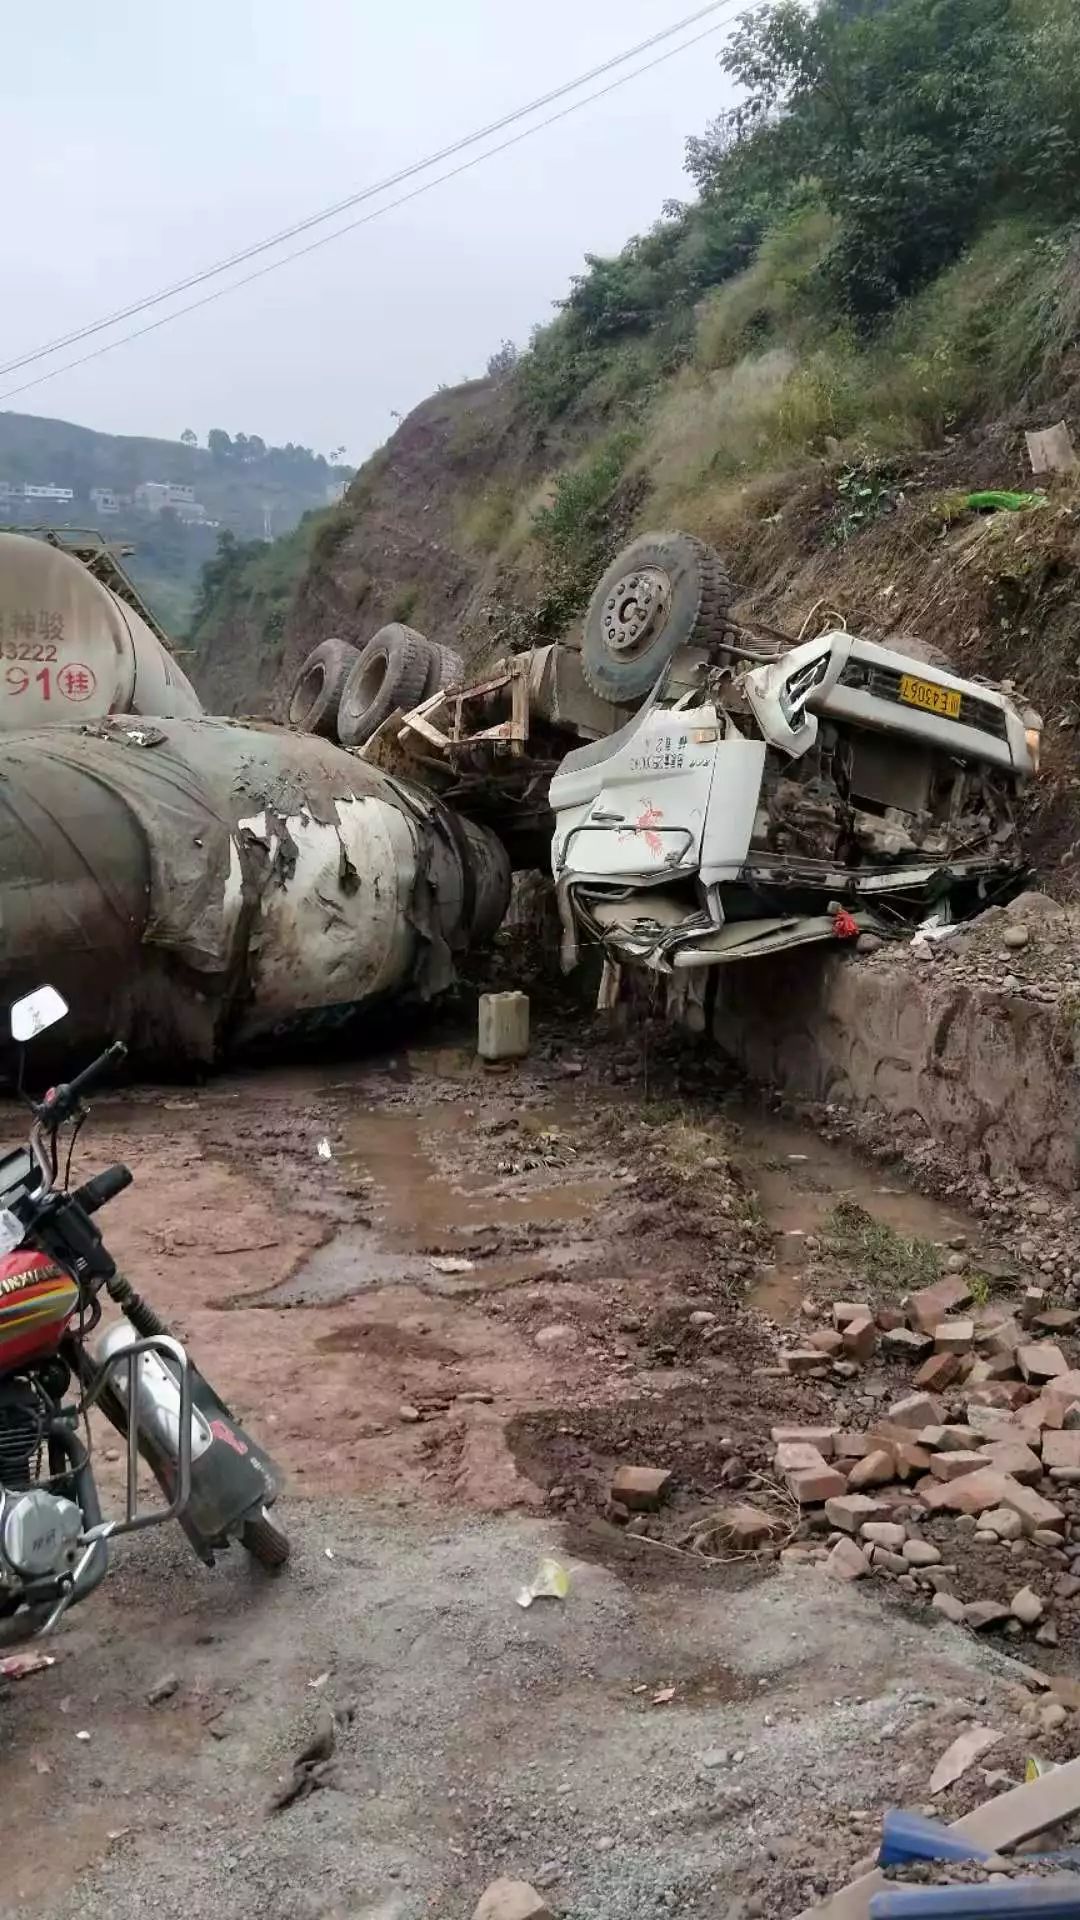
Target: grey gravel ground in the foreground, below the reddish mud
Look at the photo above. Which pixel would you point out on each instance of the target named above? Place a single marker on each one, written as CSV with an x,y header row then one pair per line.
x,y
483,1740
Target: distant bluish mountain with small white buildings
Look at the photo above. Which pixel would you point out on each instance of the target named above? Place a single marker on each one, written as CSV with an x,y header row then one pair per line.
x,y
168,500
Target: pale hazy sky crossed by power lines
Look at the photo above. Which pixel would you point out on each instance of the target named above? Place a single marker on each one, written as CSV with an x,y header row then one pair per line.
x,y
147,139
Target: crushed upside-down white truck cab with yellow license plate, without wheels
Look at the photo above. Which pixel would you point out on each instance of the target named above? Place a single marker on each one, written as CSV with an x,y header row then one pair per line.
x,y
743,815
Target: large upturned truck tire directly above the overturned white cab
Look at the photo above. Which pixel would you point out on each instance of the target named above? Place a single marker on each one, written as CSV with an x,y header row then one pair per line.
x,y
662,594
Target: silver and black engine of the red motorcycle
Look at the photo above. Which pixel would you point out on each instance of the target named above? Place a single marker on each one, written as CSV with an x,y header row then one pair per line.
x,y
39,1531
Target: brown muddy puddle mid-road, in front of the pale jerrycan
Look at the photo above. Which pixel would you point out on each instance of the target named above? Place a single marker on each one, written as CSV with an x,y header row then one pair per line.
x,y
478,1232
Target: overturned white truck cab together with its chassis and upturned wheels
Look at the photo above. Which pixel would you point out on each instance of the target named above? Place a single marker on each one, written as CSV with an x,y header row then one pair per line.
x,y
706,792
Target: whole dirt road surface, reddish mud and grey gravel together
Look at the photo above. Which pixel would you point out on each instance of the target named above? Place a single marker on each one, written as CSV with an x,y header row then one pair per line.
x,y
451,1332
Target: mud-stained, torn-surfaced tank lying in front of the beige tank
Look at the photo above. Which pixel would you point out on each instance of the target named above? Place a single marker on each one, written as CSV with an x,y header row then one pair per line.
x,y
199,888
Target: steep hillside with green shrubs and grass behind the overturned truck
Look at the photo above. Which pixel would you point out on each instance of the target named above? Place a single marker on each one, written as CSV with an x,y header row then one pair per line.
x,y
791,366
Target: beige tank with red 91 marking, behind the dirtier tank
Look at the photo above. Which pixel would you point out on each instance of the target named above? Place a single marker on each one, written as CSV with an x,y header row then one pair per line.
x,y
74,650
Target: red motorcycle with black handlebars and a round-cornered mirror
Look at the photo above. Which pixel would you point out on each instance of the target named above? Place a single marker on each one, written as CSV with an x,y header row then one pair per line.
x,y
55,1268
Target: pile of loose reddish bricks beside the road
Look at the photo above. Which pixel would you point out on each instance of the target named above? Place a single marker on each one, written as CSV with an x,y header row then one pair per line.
x,y
989,1435
